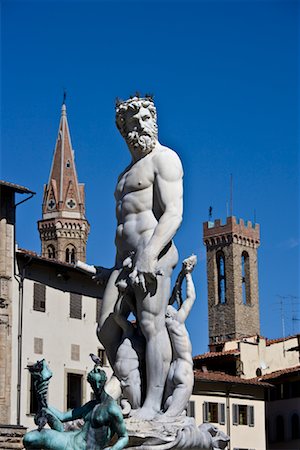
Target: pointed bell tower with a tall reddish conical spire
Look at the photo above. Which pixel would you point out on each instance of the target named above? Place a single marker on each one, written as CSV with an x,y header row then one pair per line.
x,y
63,228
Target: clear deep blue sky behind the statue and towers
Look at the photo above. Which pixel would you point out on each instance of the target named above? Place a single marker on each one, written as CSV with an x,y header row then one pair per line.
x,y
225,79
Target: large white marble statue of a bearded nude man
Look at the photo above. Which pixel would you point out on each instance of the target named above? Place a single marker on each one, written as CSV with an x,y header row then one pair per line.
x,y
149,211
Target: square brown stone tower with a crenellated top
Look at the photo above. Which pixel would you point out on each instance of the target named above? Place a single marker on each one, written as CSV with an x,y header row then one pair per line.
x,y
233,300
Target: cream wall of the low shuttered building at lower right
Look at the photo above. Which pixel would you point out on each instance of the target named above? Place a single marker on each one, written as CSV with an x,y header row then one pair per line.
x,y
241,436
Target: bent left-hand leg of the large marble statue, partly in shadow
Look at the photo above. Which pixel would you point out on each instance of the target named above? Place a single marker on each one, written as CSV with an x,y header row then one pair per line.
x,y
109,333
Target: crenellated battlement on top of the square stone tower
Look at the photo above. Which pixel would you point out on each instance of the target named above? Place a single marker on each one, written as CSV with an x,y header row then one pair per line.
x,y
234,229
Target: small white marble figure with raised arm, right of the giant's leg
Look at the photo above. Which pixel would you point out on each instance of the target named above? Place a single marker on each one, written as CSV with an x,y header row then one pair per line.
x,y
180,380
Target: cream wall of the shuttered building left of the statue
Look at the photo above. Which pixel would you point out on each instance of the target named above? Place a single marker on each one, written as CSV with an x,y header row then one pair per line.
x,y
58,332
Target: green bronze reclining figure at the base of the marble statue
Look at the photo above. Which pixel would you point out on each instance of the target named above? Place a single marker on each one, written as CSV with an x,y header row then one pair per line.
x,y
102,419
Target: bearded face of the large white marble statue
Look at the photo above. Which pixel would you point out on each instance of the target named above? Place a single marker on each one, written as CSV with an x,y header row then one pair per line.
x,y
141,130
